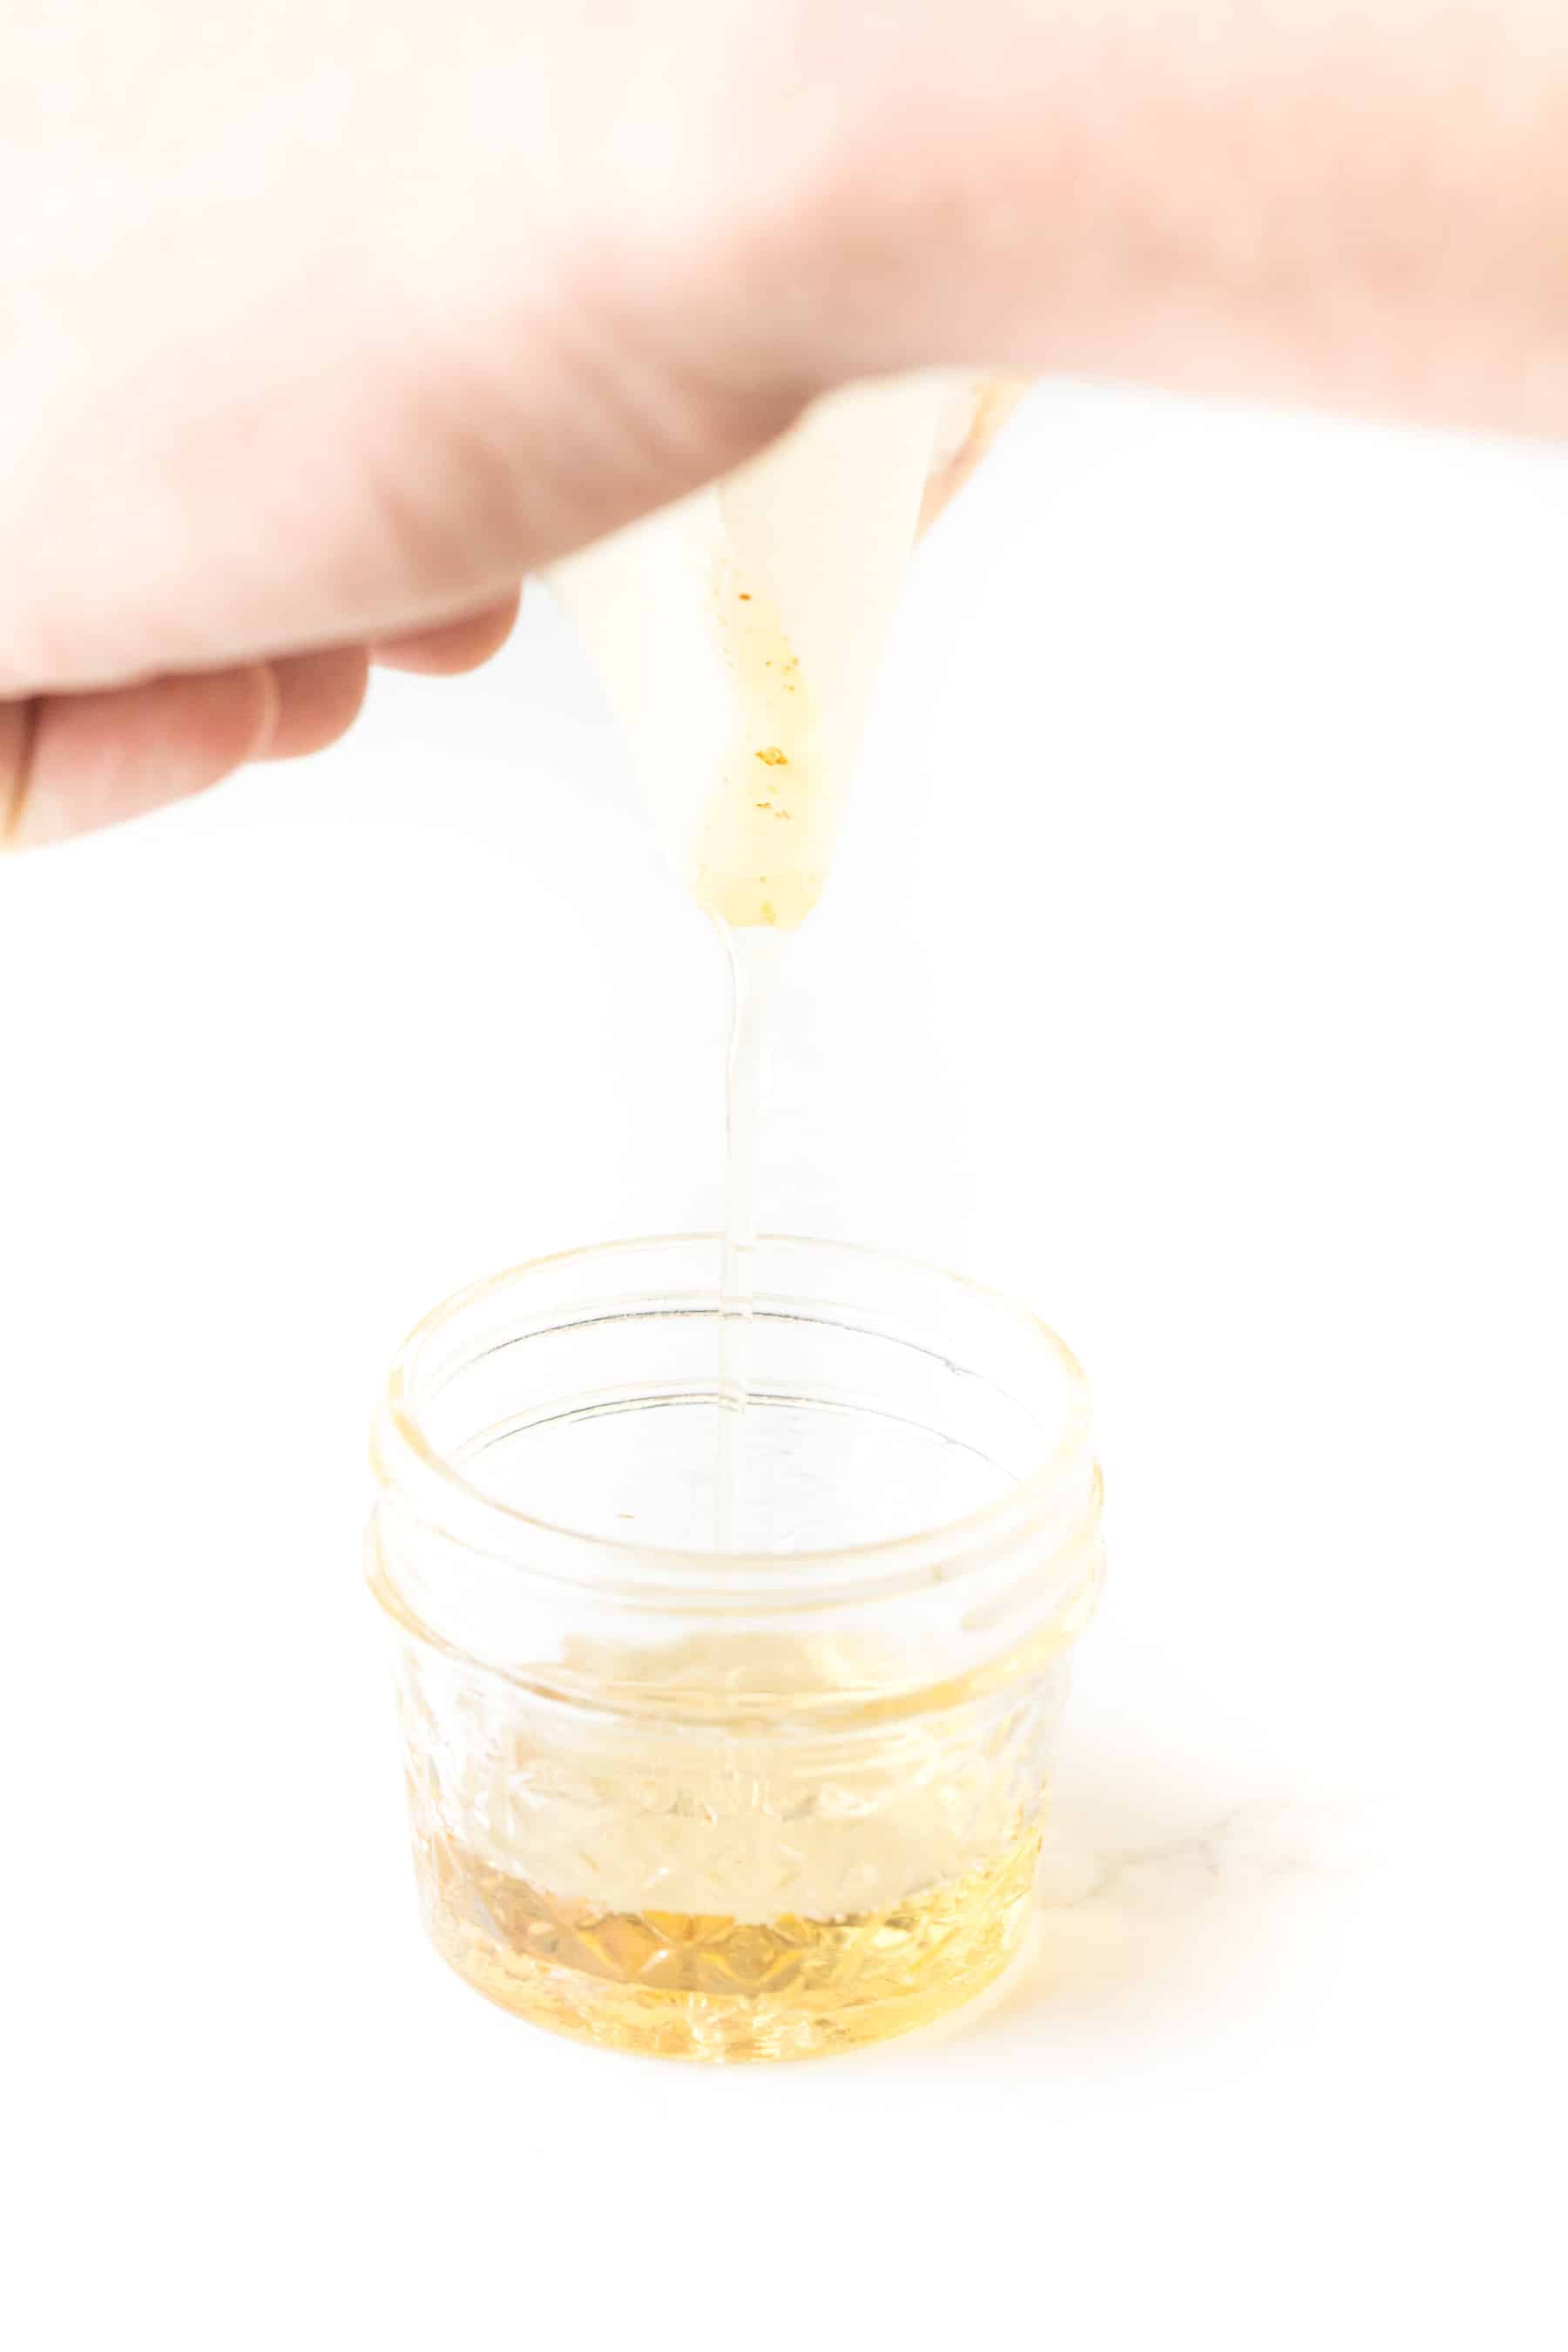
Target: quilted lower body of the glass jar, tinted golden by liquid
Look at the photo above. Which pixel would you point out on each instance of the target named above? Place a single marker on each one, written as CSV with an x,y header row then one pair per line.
x,y
749,1880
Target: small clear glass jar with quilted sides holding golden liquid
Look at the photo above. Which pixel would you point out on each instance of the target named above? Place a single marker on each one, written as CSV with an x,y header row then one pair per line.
x,y
742,1805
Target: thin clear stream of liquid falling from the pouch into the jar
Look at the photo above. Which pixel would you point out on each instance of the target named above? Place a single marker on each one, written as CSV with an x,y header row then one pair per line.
x,y
753,963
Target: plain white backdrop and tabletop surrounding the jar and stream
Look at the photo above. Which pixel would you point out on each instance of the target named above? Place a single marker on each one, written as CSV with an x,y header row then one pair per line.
x,y
1195,965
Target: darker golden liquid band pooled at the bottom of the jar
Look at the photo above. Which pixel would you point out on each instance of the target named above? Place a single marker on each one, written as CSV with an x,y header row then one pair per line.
x,y
683,1986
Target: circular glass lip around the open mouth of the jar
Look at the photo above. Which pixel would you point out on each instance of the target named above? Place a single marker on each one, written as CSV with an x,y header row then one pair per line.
x,y
448,1499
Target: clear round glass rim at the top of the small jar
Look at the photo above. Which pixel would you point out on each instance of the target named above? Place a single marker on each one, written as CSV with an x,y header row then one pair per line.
x,y
704,1572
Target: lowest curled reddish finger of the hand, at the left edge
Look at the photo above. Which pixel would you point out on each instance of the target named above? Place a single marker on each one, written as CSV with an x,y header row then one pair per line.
x,y
76,763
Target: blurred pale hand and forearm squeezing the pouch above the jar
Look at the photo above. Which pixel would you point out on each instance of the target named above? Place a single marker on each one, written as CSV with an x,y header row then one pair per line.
x,y
326,321
